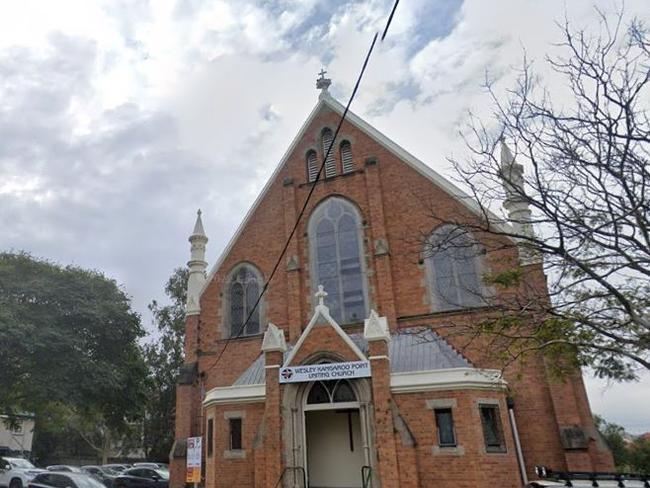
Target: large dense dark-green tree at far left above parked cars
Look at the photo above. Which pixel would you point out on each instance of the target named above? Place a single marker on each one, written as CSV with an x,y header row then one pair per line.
x,y
68,341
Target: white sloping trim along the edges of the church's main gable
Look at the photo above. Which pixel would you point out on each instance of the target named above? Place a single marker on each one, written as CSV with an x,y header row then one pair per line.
x,y
326,100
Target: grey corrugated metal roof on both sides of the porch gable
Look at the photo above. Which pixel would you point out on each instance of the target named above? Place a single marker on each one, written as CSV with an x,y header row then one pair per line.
x,y
413,349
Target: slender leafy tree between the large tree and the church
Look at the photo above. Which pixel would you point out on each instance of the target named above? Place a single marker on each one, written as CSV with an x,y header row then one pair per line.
x,y
164,357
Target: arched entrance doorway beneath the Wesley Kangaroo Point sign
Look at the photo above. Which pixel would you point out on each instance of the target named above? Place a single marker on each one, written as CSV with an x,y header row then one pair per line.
x,y
334,439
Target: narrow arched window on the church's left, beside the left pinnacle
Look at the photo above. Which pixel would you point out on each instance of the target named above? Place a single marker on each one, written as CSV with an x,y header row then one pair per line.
x,y
243,290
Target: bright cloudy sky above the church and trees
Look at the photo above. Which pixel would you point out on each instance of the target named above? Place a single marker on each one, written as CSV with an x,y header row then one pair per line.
x,y
119,119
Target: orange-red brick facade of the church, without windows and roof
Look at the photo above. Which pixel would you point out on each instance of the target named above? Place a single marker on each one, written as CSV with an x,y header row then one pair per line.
x,y
394,199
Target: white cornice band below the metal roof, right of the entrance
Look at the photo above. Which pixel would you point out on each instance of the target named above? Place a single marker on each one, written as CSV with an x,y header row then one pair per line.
x,y
447,379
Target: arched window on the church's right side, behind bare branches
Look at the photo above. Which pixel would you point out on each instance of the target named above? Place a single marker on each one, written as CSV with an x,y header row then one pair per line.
x,y
454,262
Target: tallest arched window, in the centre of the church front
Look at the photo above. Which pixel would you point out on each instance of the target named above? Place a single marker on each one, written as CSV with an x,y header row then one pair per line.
x,y
335,239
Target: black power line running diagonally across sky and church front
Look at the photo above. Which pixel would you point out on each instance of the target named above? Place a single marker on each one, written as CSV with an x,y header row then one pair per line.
x,y
311,191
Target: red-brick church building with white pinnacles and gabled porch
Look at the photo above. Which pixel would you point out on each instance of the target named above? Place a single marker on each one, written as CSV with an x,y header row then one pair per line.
x,y
348,372
